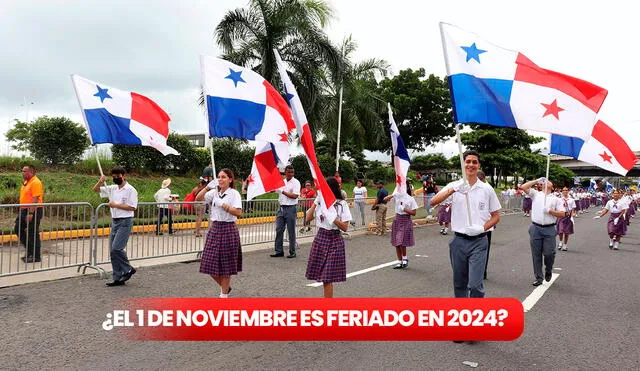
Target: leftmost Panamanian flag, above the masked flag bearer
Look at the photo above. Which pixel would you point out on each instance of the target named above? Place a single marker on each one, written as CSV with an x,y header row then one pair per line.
x,y
122,117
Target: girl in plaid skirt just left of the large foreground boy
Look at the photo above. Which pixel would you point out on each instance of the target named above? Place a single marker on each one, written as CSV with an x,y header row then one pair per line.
x,y
402,226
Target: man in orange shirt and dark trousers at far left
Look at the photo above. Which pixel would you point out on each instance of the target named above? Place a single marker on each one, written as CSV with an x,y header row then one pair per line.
x,y
28,221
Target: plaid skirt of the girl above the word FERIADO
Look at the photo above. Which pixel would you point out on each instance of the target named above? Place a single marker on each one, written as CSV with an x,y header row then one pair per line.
x,y
327,261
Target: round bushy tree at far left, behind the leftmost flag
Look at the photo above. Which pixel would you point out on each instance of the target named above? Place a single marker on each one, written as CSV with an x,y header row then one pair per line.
x,y
51,140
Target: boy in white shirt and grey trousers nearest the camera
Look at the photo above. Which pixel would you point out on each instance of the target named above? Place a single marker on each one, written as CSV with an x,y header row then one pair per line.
x,y
468,248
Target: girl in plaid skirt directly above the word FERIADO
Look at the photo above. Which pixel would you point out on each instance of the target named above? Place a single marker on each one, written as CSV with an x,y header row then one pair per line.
x,y
327,261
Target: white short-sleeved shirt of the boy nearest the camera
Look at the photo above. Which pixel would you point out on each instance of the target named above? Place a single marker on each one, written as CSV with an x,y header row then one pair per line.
x,y
482,199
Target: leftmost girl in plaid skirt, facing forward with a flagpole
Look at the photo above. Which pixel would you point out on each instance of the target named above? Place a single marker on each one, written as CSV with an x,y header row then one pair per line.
x,y
222,254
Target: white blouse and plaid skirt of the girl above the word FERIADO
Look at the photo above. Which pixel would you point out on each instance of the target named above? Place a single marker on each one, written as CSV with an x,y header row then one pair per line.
x,y
327,260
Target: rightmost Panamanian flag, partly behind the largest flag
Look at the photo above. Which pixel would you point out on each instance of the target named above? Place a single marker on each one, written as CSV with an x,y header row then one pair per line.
x,y
604,148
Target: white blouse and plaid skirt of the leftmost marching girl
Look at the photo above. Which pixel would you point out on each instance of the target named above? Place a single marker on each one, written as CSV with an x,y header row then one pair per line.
x,y
222,254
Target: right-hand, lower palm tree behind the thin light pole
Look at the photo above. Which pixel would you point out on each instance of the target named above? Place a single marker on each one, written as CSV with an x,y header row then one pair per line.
x,y
361,106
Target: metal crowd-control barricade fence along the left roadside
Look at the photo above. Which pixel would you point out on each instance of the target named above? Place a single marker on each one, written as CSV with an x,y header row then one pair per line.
x,y
64,235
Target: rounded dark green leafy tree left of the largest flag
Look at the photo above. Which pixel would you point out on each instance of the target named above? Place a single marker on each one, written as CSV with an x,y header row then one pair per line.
x,y
421,108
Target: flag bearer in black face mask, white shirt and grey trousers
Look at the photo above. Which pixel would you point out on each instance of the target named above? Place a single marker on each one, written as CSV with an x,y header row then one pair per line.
x,y
123,201
